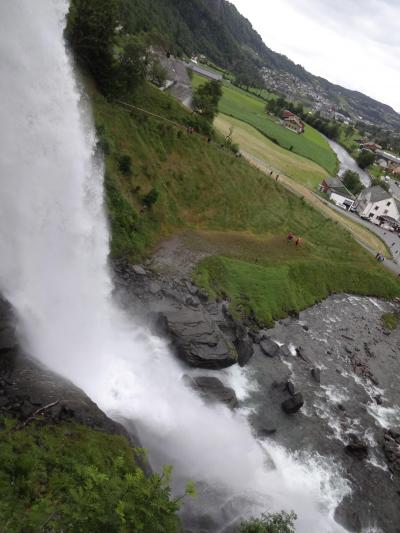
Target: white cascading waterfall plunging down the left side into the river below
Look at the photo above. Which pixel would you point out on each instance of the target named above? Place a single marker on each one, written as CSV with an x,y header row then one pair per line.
x,y
53,269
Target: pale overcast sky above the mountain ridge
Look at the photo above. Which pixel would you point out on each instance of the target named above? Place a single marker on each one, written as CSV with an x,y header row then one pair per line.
x,y
355,43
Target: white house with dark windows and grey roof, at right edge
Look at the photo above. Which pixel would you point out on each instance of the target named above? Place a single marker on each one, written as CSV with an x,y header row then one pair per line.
x,y
375,202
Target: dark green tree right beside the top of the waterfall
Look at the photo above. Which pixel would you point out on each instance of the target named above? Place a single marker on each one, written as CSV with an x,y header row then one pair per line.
x,y
91,32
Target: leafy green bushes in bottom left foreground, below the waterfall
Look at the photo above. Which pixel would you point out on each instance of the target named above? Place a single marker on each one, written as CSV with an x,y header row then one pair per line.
x,y
68,477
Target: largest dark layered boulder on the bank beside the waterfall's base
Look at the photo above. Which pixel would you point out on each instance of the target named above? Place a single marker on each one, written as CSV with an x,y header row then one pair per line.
x,y
196,340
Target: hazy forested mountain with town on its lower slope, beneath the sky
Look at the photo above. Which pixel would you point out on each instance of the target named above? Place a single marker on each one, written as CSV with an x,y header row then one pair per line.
x,y
216,29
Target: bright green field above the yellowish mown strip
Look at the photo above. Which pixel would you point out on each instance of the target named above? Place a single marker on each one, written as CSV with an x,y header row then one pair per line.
x,y
251,109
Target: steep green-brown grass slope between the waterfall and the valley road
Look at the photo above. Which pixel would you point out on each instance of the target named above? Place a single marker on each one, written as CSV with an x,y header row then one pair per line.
x,y
205,188
